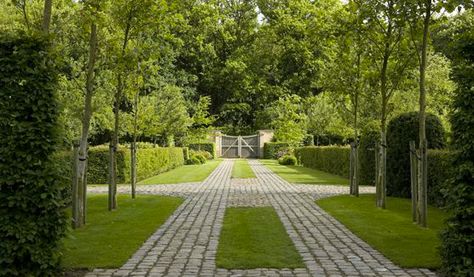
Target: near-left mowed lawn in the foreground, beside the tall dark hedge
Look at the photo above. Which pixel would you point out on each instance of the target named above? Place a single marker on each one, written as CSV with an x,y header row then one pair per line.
x,y
109,239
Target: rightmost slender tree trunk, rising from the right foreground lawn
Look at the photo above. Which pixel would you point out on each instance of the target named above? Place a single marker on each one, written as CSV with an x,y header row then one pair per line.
x,y
423,184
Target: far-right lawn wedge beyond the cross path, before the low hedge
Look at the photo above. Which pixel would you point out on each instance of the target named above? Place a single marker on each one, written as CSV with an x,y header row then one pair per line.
x,y
303,175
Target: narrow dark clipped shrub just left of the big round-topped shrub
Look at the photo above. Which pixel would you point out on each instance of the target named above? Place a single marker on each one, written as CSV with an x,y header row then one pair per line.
x,y
367,157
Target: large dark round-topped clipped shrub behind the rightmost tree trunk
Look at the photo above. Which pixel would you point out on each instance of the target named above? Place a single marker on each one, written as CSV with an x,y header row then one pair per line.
x,y
401,130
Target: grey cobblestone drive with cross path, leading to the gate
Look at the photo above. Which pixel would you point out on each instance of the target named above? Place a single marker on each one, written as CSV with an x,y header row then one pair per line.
x,y
186,244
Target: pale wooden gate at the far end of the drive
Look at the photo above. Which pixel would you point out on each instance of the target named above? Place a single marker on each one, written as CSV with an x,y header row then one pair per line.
x,y
240,146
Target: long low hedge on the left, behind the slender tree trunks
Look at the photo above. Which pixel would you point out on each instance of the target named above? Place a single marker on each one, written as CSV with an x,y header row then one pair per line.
x,y
150,162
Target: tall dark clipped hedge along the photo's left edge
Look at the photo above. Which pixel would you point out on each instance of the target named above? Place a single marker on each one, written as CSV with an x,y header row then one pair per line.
x,y
32,198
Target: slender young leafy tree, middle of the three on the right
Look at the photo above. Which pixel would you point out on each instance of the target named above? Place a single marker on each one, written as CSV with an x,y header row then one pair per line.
x,y
386,31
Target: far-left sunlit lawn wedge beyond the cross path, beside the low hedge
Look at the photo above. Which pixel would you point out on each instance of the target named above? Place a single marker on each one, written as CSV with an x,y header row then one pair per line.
x,y
183,174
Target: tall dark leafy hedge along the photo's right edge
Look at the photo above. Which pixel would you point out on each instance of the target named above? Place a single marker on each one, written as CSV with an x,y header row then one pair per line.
x,y
457,248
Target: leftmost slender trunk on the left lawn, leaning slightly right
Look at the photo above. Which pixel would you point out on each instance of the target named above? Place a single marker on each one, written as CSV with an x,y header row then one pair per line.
x,y
79,220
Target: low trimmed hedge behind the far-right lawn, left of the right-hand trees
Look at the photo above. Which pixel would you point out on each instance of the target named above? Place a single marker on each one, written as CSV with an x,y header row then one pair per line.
x,y
332,159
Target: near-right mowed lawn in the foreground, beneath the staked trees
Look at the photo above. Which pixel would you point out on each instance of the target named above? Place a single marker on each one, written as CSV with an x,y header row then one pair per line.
x,y
390,231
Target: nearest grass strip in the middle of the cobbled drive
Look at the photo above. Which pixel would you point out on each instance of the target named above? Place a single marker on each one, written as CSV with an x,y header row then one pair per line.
x,y
255,238
